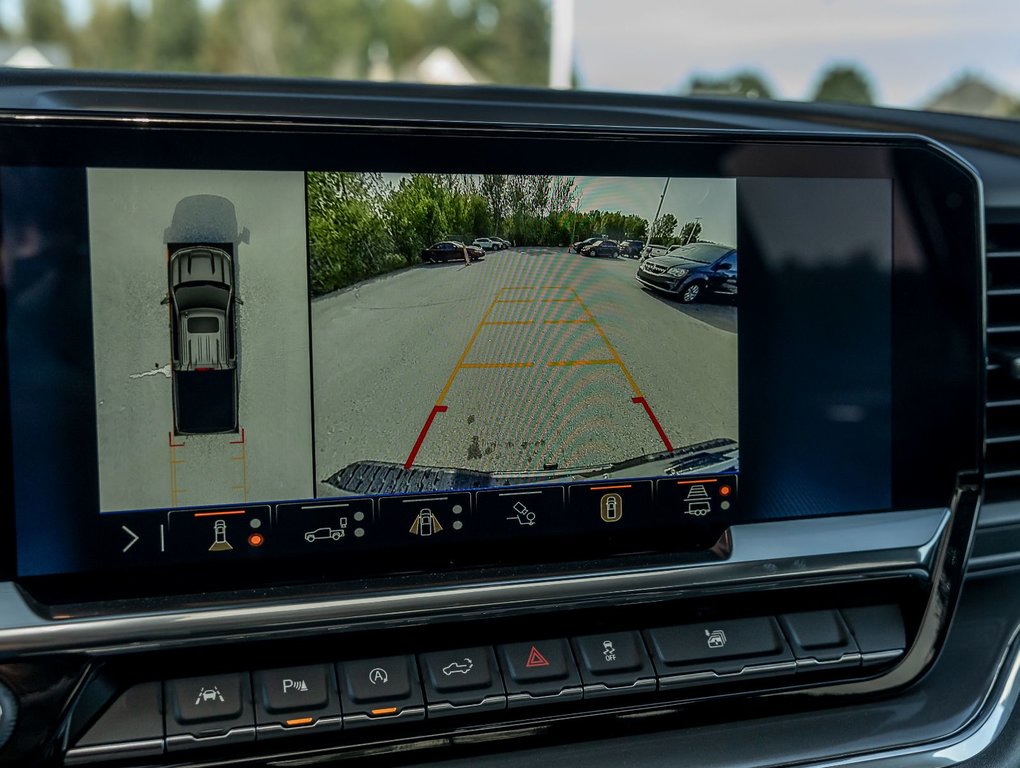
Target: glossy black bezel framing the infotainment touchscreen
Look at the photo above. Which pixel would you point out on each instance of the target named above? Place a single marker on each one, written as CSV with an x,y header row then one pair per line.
x,y
926,177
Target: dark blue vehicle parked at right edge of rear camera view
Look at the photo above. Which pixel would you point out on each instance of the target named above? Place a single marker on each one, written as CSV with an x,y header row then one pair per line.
x,y
690,273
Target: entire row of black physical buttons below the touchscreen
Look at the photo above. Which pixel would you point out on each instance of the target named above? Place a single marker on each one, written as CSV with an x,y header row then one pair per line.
x,y
227,708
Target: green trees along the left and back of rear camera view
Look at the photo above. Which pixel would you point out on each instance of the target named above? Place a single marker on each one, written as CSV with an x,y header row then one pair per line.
x,y
361,226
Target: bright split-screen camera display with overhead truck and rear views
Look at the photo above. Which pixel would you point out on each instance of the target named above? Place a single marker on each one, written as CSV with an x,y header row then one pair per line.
x,y
494,331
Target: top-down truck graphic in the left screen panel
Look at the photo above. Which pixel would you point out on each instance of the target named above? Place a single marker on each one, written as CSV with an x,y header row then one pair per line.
x,y
201,248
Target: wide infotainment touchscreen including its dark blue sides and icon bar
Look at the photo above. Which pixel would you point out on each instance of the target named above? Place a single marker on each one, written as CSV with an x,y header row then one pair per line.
x,y
376,371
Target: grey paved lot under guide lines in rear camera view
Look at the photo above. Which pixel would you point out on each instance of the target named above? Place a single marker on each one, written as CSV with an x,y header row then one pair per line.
x,y
531,359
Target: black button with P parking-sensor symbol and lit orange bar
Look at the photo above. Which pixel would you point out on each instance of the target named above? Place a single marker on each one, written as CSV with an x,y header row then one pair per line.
x,y
294,699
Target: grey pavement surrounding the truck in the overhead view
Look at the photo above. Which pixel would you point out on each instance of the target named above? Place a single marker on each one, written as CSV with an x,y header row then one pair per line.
x,y
129,212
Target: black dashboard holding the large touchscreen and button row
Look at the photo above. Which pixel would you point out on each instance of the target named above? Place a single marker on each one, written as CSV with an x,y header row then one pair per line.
x,y
342,427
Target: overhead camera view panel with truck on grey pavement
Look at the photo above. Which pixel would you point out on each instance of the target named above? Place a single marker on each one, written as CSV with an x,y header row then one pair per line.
x,y
200,319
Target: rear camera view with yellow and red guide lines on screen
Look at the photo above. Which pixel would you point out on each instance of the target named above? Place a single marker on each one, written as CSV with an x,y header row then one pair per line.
x,y
481,331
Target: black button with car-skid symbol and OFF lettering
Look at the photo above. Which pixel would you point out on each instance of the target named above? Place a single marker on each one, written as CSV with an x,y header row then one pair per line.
x,y
615,663
